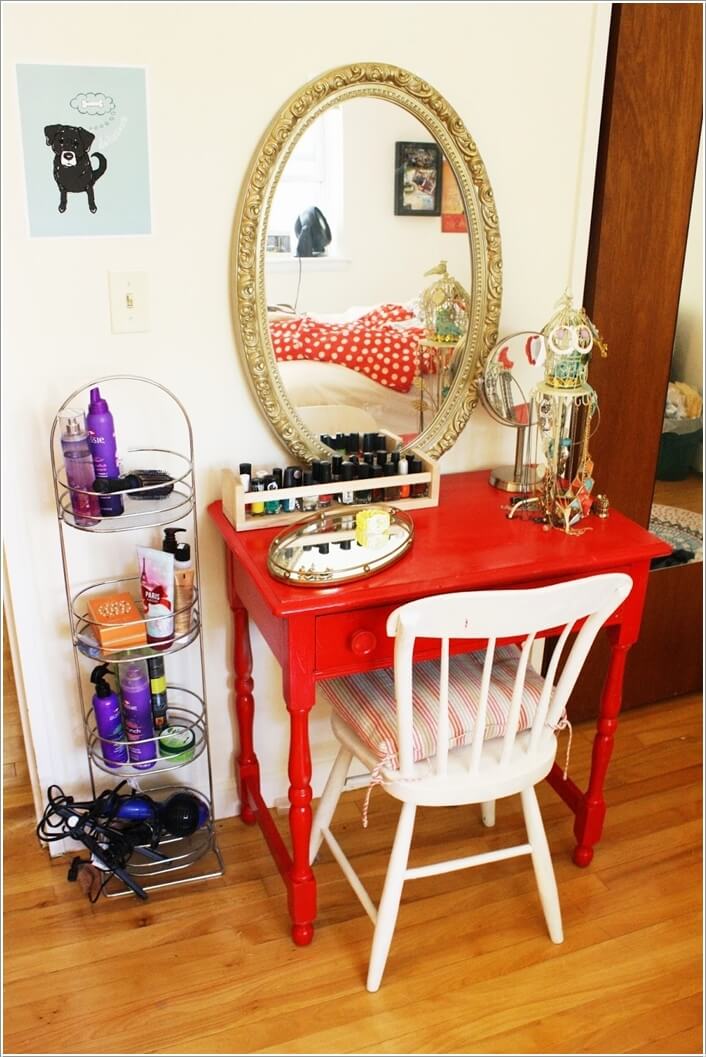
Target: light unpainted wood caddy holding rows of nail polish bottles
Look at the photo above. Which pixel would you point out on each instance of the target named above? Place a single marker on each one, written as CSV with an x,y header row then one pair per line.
x,y
236,502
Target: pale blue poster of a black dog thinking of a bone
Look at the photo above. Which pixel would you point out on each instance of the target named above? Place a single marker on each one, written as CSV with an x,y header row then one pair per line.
x,y
86,150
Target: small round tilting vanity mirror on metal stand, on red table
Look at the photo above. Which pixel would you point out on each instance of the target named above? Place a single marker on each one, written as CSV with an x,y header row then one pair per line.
x,y
516,365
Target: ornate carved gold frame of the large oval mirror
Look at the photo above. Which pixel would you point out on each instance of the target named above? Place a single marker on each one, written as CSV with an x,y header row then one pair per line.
x,y
249,301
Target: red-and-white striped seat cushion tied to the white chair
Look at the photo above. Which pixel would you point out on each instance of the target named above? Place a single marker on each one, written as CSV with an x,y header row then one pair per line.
x,y
366,702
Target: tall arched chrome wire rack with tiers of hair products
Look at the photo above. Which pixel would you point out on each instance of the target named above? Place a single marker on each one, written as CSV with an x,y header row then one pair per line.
x,y
198,857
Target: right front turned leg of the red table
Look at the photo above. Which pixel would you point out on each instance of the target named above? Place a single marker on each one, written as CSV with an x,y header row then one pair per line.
x,y
591,812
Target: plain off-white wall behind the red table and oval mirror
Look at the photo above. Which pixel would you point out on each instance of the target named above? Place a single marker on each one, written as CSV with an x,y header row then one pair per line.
x,y
527,81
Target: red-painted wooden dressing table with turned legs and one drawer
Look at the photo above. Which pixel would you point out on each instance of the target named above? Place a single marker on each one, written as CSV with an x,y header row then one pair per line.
x,y
466,544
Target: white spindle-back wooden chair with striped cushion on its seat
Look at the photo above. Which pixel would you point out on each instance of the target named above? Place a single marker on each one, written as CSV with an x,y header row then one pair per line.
x,y
462,730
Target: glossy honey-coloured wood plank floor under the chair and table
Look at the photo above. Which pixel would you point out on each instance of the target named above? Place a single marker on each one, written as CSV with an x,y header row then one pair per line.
x,y
211,969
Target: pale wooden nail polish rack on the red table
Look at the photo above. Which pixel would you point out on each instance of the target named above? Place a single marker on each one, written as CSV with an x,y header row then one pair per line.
x,y
238,504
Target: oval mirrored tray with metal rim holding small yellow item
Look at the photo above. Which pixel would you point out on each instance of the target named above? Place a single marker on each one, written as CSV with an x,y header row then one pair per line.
x,y
326,550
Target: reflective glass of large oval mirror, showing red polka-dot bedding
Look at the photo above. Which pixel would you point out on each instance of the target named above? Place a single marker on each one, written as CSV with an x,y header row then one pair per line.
x,y
346,316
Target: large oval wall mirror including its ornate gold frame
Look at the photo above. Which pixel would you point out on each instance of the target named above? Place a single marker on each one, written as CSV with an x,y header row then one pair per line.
x,y
366,191
